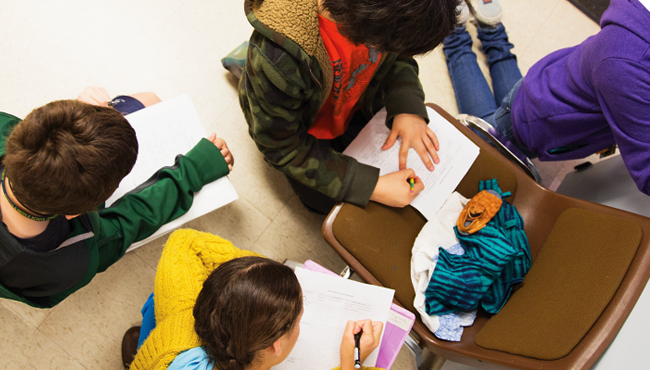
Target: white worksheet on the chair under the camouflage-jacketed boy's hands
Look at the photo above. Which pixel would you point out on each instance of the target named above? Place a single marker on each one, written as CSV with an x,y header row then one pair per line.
x,y
457,154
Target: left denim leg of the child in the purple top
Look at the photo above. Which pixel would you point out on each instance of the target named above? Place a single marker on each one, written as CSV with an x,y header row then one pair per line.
x,y
473,94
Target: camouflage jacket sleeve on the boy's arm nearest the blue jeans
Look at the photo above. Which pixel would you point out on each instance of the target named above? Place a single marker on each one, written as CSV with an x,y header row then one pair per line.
x,y
403,90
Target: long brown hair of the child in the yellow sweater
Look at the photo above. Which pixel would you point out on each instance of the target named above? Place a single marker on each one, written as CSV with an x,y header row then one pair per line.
x,y
246,304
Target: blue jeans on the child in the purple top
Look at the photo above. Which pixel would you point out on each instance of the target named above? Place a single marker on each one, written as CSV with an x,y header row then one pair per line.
x,y
473,94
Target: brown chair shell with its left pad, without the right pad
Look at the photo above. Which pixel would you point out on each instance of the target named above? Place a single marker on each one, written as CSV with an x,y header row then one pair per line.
x,y
376,242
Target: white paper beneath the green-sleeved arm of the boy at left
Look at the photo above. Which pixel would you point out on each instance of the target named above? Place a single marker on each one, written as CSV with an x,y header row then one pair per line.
x,y
165,130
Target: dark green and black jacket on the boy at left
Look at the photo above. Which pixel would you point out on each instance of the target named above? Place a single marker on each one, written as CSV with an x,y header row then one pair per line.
x,y
99,239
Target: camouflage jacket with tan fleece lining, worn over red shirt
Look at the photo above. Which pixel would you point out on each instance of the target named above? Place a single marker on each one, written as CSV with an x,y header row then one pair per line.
x,y
287,79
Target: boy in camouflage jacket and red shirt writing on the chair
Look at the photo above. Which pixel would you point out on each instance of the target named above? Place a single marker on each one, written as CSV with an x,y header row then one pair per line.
x,y
318,70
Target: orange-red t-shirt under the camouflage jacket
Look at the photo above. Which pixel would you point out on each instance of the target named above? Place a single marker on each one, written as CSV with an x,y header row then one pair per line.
x,y
354,66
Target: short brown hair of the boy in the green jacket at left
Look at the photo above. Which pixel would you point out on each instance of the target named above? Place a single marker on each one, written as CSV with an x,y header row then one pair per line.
x,y
68,157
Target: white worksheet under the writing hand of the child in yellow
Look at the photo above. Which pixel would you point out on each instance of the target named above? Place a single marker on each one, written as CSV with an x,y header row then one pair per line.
x,y
329,302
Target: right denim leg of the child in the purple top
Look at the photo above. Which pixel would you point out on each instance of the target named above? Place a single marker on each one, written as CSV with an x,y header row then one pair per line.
x,y
503,64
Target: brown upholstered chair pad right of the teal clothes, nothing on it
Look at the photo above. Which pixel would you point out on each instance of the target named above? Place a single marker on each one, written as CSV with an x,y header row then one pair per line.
x,y
572,281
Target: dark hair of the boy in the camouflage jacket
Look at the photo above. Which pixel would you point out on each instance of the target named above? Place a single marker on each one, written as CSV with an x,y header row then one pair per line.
x,y
408,27
